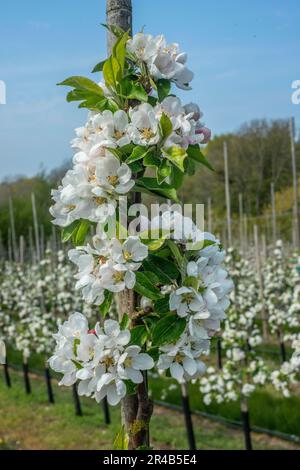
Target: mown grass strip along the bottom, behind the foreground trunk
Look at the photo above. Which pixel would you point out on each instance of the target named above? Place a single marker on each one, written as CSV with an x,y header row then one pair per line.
x,y
29,422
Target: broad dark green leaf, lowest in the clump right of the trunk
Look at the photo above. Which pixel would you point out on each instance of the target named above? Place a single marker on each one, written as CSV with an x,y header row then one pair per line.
x,y
168,330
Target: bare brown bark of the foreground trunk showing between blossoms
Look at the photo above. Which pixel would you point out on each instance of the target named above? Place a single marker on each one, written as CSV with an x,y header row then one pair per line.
x,y
137,408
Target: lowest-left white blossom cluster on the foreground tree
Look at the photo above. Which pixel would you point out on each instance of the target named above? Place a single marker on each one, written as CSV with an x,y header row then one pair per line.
x,y
101,360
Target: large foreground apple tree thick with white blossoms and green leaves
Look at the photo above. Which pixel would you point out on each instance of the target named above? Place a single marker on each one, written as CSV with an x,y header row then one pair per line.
x,y
168,277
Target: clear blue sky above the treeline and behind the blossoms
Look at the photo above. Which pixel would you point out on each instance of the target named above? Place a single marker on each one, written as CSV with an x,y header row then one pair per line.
x,y
245,55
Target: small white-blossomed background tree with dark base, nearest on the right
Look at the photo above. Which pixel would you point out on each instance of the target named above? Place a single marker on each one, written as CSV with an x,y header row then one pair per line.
x,y
243,370
